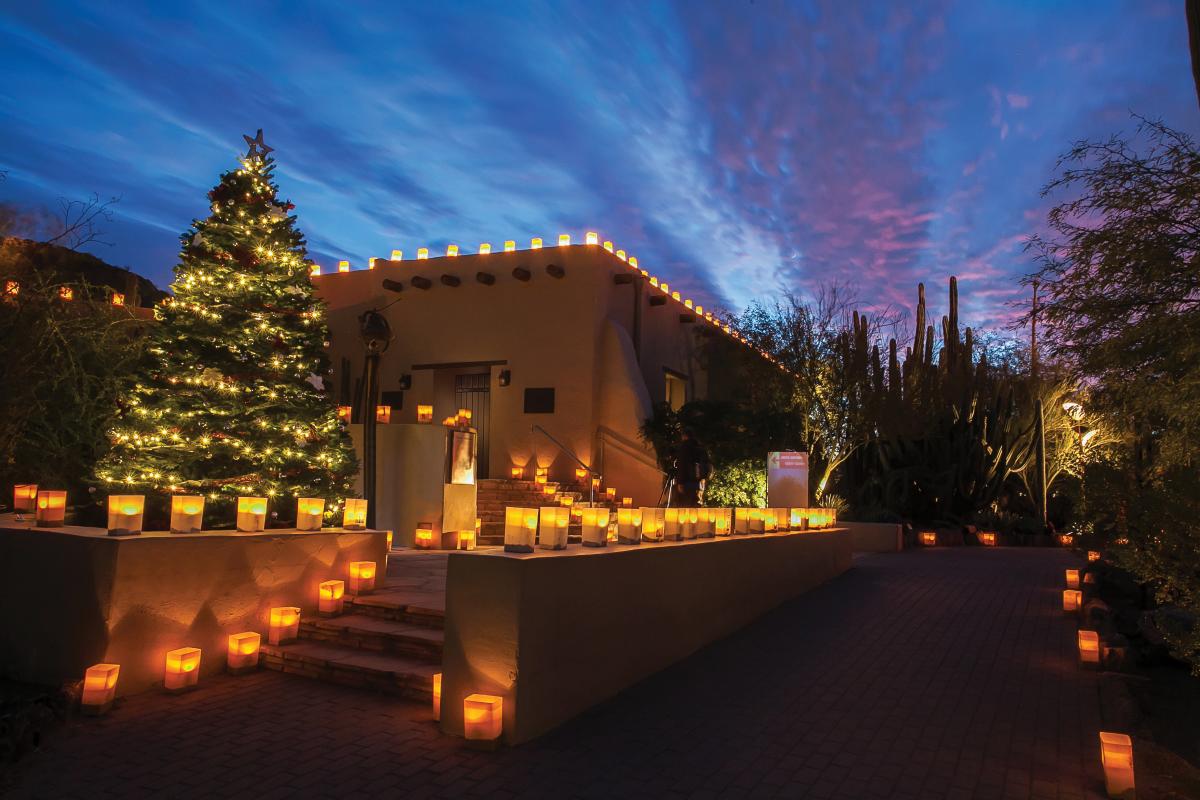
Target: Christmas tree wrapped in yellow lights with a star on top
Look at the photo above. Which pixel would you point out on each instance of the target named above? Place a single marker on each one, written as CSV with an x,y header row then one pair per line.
x,y
232,401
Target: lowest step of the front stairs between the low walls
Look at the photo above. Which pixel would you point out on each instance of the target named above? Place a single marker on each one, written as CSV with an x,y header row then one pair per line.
x,y
389,673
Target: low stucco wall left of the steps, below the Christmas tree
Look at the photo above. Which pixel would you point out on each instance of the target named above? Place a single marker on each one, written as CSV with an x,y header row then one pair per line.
x,y
71,598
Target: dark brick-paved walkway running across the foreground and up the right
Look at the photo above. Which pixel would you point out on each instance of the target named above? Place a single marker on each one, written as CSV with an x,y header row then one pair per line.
x,y
928,675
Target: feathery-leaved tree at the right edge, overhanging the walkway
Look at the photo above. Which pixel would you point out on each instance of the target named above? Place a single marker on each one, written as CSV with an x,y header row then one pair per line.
x,y
1120,272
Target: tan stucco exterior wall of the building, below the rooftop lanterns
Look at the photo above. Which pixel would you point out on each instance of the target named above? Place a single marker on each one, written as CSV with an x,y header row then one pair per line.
x,y
547,332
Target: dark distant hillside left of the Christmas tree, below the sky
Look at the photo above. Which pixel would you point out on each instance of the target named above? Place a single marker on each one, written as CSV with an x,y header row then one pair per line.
x,y
23,256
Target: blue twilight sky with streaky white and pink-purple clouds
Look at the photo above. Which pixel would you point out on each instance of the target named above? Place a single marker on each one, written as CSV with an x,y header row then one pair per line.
x,y
735,147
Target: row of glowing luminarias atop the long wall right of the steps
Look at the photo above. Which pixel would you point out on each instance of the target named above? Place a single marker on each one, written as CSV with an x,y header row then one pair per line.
x,y
547,527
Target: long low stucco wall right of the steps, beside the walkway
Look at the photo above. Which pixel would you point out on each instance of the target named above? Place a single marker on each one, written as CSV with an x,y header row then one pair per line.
x,y
555,634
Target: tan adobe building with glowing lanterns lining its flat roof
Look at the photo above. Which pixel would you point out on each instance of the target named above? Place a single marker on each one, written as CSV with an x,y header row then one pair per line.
x,y
559,352
